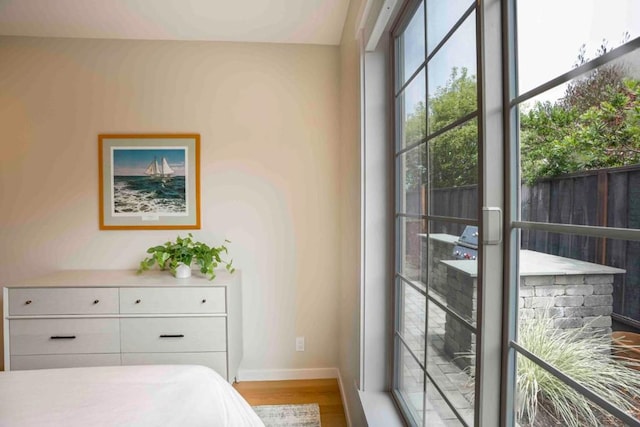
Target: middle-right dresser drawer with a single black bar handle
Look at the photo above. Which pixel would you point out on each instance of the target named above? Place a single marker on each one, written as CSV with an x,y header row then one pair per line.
x,y
173,334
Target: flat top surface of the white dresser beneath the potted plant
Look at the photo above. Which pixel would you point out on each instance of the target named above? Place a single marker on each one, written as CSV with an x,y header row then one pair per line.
x,y
118,278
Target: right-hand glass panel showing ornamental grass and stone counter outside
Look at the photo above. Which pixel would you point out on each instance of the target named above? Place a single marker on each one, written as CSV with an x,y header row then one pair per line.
x,y
574,282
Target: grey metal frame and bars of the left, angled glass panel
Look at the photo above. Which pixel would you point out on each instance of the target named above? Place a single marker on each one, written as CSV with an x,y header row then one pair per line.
x,y
404,18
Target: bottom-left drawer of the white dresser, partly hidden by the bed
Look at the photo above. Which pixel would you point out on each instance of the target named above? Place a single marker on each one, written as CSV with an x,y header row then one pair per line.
x,y
53,361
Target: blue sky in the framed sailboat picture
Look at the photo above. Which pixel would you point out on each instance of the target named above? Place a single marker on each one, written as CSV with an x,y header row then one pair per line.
x,y
133,161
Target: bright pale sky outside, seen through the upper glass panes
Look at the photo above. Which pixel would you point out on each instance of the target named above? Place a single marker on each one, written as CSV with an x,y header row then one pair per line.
x,y
550,34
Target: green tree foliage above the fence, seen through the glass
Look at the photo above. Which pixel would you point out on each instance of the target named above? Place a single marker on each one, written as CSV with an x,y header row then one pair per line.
x,y
596,124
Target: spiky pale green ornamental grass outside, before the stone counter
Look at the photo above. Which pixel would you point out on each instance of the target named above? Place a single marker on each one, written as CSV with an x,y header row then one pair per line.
x,y
582,356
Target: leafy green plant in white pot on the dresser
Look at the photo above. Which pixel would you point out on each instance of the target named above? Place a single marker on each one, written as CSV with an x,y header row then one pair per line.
x,y
179,255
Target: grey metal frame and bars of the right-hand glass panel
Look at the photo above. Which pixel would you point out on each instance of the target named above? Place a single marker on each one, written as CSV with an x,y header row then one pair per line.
x,y
514,224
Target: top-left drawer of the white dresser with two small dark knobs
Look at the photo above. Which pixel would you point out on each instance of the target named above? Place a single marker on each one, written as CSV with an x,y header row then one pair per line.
x,y
36,301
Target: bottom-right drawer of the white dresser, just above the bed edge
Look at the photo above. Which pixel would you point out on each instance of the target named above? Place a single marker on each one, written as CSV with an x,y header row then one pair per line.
x,y
214,360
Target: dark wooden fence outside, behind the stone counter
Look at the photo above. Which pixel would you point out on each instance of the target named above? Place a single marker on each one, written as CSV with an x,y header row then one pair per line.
x,y
605,197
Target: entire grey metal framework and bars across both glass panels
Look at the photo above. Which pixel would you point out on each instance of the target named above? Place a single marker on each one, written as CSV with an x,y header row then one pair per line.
x,y
498,135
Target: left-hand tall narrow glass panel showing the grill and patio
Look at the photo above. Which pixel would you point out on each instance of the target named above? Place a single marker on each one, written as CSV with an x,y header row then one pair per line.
x,y
437,208
